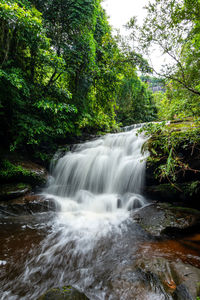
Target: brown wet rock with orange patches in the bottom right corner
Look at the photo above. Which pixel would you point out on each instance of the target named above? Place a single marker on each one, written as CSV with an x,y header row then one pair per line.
x,y
156,278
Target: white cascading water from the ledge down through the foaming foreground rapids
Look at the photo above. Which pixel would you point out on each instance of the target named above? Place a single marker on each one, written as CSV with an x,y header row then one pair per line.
x,y
95,186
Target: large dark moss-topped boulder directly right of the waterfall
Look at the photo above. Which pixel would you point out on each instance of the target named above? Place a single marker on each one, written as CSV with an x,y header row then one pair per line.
x,y
173,165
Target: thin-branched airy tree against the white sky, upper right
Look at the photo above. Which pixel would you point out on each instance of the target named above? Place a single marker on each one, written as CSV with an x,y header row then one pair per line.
x,y
173,26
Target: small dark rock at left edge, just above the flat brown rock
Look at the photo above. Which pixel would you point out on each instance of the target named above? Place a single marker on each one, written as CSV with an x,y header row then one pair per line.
x,y
11,191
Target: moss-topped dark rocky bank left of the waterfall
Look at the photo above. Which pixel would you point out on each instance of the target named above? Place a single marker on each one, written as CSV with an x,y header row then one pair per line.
x,y
18,180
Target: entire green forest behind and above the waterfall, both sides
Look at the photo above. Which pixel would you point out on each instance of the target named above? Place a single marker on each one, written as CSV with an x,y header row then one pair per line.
x,y
64,73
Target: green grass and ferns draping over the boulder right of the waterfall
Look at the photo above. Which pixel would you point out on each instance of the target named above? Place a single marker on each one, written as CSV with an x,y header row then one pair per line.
x,y
174,149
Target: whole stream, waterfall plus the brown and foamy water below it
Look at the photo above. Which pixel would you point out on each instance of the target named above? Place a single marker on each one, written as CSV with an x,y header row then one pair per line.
x,y
91,241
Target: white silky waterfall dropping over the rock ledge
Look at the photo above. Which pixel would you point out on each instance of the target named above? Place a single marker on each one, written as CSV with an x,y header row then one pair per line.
x,y
103,175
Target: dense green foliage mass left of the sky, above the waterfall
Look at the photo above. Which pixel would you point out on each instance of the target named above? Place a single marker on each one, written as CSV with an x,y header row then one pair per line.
x,y
62,72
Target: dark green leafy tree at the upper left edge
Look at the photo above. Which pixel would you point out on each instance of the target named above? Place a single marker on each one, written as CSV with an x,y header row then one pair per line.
x,y
34,106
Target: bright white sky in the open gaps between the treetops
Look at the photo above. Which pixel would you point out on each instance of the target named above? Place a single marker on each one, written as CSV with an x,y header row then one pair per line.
x,y
120,12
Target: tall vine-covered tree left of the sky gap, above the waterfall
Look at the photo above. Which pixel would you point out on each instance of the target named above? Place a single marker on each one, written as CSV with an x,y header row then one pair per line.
x,y
79,29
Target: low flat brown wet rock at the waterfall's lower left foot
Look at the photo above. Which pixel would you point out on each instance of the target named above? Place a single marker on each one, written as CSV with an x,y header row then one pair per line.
x,y
28,204
